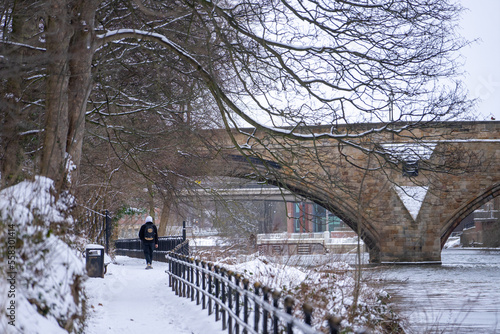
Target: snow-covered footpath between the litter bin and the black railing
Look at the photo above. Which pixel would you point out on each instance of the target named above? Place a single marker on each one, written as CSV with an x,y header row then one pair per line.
x,y
131,300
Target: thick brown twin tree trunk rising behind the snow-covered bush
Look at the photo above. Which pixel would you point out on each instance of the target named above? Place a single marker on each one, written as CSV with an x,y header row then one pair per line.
x,y
70,49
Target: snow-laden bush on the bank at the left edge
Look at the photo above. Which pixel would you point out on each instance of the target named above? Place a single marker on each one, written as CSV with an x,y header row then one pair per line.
x,y
40,274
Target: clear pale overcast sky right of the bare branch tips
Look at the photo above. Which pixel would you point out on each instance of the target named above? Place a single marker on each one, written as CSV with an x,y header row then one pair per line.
x,y
483,58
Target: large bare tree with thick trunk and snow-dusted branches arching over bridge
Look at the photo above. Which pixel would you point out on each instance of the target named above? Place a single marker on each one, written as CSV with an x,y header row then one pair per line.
x,y
290,63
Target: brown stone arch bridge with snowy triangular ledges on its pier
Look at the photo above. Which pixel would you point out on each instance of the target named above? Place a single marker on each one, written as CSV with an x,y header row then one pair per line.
x,y
403,197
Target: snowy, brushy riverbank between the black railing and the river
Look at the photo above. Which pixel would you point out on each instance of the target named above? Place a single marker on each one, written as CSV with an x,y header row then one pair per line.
x,y
329,288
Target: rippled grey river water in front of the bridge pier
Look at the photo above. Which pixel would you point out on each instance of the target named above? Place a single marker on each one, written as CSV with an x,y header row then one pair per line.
x,y
460,296
